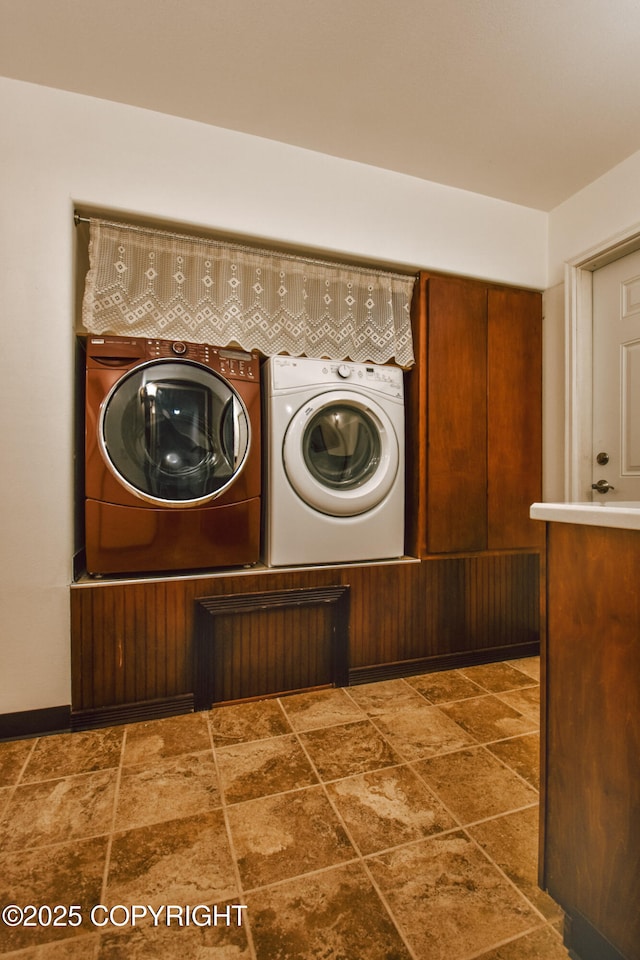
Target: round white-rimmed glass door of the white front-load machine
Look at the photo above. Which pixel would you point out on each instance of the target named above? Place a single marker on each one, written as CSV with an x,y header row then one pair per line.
x,y
341,454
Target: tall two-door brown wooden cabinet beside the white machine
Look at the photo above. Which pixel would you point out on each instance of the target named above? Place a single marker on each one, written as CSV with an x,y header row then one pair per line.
x,y
474,407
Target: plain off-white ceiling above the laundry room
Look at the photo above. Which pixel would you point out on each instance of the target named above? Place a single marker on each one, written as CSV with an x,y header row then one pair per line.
x,y
526,100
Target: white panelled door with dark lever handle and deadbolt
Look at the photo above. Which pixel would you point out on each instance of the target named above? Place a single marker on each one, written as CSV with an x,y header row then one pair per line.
x,y
616,380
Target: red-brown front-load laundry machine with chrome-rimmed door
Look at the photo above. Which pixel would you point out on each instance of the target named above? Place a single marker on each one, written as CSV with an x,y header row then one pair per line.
x,y
172,456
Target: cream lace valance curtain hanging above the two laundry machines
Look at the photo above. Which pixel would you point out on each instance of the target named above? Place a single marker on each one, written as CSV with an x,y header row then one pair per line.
x,y
152,283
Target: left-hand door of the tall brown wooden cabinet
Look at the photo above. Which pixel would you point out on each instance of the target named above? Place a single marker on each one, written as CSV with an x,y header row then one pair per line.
x,y
457,416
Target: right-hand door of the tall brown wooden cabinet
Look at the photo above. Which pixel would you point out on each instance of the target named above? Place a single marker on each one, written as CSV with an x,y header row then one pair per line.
x,y
514,428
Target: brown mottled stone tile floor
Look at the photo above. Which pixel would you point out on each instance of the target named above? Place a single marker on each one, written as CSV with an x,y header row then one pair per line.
x,y
391,821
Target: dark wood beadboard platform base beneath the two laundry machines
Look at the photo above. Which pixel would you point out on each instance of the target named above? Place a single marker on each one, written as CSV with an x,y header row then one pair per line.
x,y
135,644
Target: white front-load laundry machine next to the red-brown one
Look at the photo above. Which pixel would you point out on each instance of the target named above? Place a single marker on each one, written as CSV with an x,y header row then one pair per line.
x,y
334,461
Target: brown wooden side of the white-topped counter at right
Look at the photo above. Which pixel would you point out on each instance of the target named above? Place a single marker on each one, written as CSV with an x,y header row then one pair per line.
x,y
592,797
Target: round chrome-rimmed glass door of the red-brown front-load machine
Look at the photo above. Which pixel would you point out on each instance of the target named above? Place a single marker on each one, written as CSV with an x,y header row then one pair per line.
x,y
174,432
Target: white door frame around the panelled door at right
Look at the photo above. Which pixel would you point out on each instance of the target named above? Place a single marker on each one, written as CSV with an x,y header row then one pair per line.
x,y
579,358
